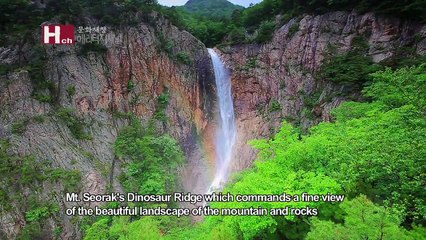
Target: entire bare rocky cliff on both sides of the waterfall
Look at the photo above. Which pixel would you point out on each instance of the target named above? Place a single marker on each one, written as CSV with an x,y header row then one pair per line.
x,y
68,111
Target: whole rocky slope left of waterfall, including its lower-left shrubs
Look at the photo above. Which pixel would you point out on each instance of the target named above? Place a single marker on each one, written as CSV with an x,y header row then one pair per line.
x,y
96,92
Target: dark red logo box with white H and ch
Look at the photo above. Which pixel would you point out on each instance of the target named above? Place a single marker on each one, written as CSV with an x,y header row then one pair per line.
x,y
58,34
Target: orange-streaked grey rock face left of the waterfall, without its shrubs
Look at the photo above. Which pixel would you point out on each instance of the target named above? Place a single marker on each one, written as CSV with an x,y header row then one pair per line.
x,y
97,90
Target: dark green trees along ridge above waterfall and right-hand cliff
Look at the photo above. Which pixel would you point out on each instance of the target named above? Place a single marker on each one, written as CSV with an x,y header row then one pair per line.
x,y
248,25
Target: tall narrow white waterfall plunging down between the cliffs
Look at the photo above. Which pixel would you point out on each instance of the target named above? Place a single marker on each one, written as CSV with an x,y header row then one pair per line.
x,y
226,131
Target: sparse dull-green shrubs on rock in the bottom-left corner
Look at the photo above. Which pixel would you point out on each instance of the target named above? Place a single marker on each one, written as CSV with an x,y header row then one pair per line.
x,y
23,183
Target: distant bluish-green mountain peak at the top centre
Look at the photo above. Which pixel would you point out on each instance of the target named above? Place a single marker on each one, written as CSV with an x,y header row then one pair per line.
x,y
211,8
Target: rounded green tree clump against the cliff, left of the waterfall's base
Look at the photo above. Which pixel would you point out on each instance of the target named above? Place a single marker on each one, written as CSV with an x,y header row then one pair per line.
x,y
151,160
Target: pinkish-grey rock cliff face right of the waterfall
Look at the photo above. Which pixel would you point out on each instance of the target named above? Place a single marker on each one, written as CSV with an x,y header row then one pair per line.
x,y
279,81
